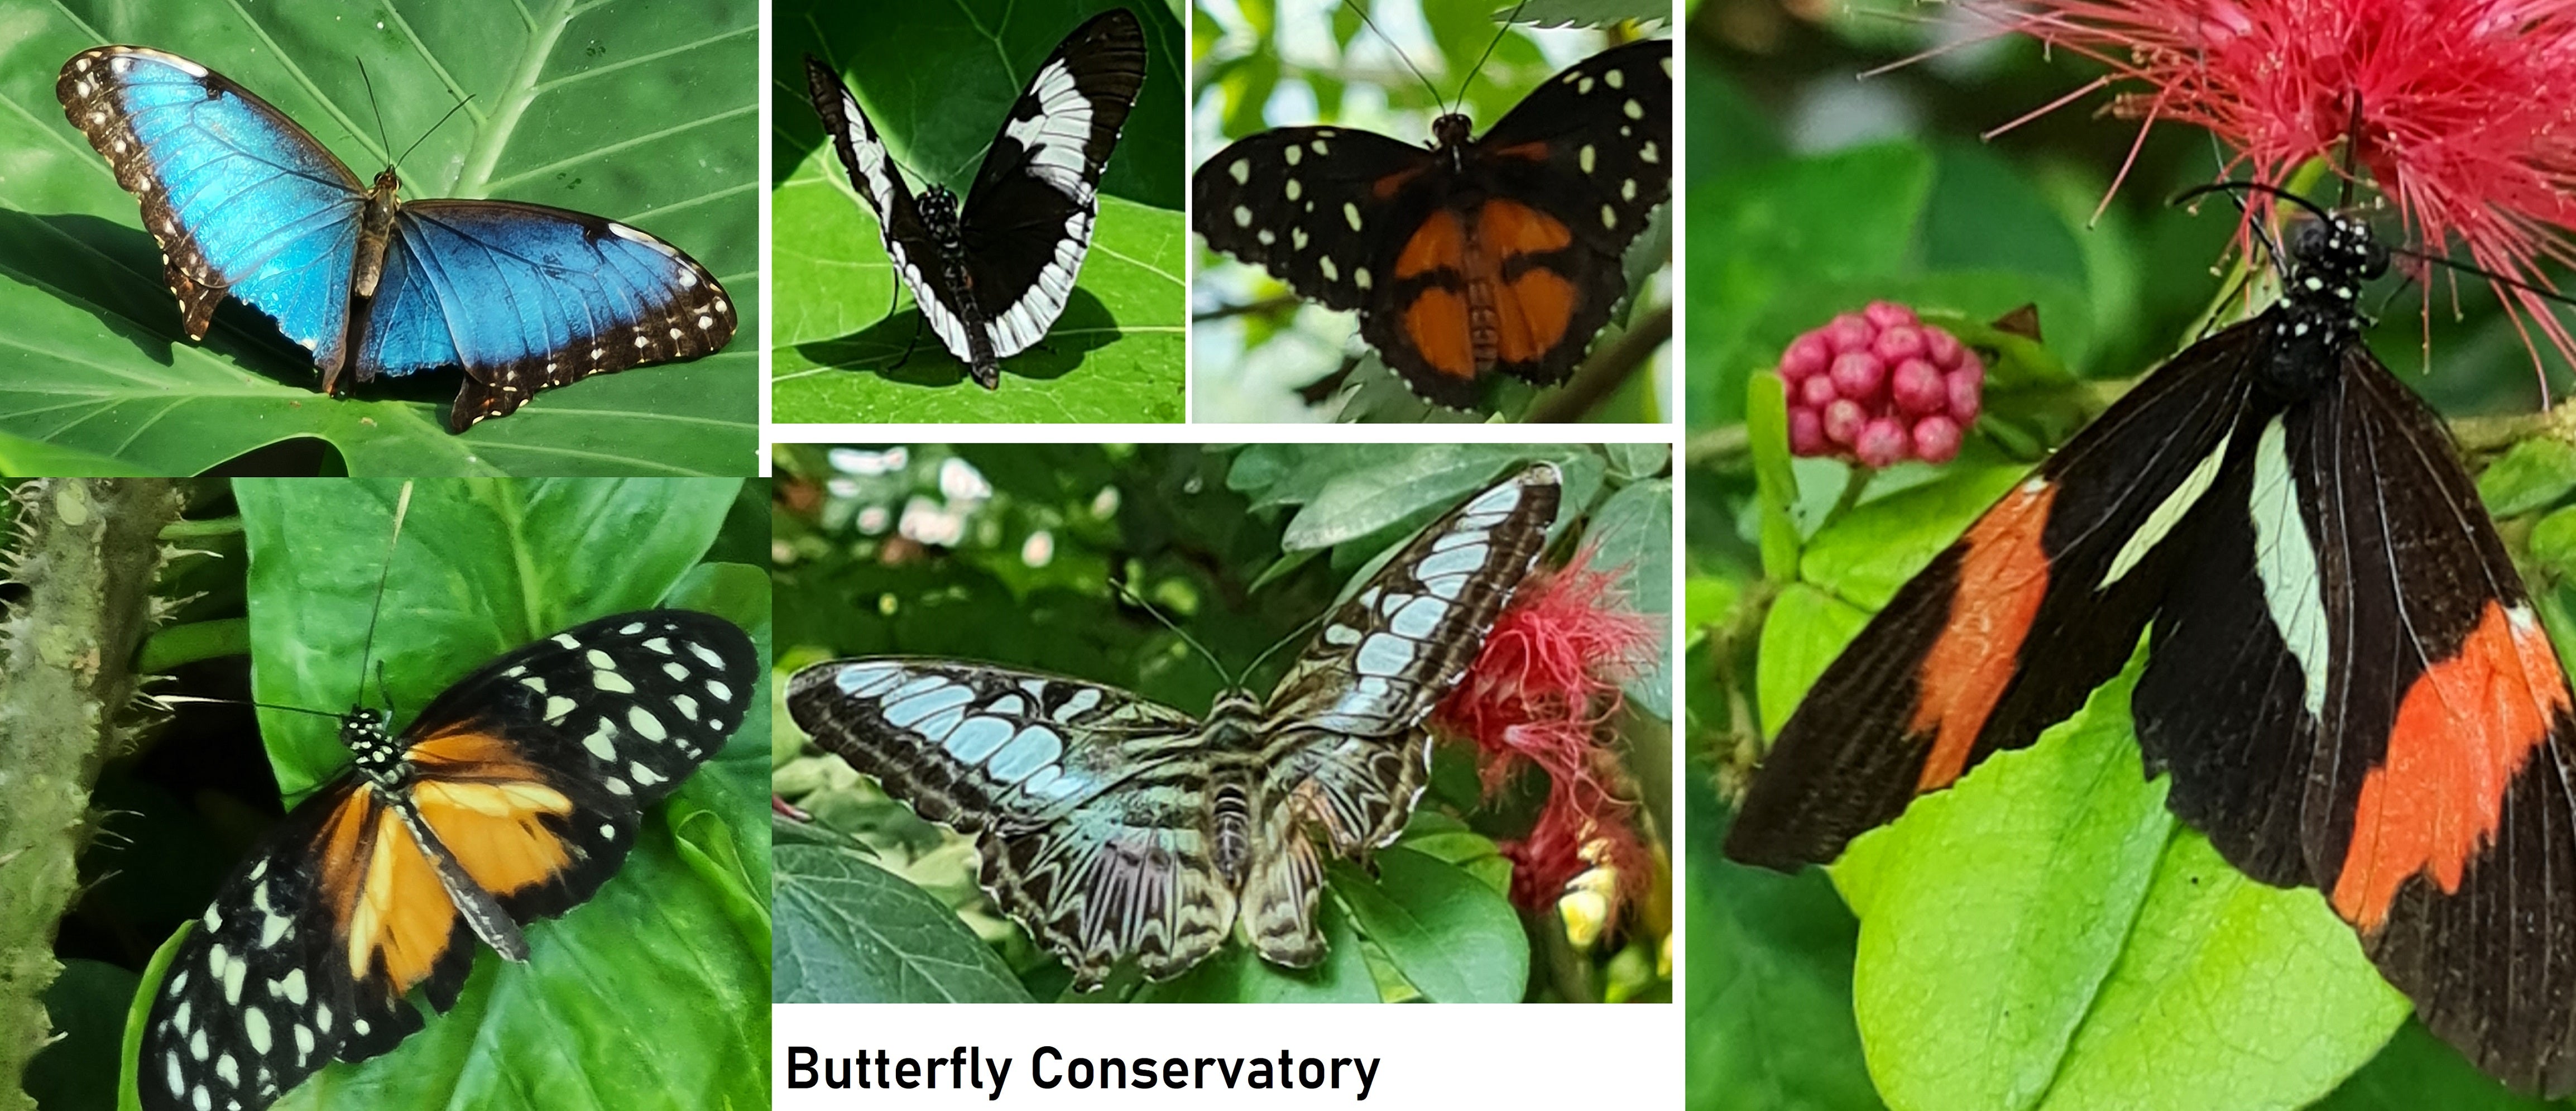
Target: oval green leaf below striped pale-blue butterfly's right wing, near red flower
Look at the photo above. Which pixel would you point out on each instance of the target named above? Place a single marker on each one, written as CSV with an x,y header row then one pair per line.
x,y
1444,929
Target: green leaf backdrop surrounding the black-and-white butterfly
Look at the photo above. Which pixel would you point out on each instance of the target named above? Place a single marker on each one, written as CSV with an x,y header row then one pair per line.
x,y
936,79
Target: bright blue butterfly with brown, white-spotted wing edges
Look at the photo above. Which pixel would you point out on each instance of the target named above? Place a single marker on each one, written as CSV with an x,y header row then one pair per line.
x,y
249,205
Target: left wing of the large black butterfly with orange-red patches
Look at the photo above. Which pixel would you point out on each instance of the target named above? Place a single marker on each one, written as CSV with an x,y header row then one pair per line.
x,y
2013,625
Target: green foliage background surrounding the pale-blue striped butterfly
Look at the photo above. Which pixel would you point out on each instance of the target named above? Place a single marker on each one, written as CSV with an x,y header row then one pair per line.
x,y
1016,555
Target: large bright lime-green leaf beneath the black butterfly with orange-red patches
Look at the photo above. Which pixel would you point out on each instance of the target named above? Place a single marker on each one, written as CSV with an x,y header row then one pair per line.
x,y
2047,937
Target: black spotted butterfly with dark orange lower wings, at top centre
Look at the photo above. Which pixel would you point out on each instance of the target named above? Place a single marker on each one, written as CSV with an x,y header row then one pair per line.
x,y
1475,254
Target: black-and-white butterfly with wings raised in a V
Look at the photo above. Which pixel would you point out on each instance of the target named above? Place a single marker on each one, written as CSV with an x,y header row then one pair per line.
x,y
996,272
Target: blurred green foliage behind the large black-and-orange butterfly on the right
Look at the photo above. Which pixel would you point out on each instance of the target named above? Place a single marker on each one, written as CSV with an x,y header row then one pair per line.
x,y
1823,177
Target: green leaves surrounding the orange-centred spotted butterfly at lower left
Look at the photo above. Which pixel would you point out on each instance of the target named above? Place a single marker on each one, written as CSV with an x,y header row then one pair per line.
x,y
674,950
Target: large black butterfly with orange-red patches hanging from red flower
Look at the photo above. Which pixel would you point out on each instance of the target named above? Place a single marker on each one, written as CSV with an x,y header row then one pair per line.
x,y
2345,674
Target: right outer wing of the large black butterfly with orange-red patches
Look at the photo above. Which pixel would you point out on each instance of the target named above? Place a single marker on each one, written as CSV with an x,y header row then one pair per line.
x,y
2443,821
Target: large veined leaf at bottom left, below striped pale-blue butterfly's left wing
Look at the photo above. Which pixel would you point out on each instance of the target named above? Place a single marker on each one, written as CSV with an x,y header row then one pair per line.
x,y
851,932
